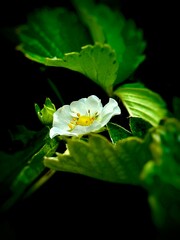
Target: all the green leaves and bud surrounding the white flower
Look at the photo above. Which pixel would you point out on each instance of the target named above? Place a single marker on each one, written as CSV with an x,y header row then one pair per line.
x,y
107,51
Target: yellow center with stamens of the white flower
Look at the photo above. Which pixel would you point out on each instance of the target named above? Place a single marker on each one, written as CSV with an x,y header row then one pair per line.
x,y
82,120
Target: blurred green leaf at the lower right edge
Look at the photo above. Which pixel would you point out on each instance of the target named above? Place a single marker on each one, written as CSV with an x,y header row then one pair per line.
x,y
161,175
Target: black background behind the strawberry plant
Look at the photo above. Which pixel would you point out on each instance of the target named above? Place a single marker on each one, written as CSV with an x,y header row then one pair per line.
x,y
72,205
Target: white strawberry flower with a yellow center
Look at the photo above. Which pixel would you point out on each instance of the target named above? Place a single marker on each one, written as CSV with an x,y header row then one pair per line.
x,y
83,116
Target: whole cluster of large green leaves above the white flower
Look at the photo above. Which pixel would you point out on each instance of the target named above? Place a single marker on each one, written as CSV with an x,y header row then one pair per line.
x,y
49,37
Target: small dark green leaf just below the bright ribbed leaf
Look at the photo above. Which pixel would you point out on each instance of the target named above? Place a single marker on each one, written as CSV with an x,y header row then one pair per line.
x,y
139,126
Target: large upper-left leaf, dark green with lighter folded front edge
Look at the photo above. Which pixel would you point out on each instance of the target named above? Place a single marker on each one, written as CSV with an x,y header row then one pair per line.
x,y
49,38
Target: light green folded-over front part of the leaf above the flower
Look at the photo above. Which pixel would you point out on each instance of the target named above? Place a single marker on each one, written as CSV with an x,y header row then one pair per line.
x,y
96,62
